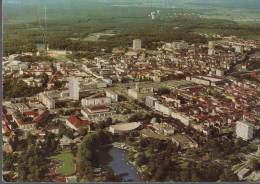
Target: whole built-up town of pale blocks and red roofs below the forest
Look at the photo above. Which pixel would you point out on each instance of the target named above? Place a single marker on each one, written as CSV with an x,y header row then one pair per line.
x,y
207,98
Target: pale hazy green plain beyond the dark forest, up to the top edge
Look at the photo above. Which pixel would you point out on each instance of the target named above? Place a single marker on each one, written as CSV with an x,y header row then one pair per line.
x,y
18,11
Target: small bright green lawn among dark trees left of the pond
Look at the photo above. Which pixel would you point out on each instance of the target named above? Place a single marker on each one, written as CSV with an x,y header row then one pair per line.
x,y
67,166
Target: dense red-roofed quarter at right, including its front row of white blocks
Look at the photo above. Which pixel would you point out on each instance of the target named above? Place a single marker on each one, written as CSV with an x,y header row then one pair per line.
x,y
204,107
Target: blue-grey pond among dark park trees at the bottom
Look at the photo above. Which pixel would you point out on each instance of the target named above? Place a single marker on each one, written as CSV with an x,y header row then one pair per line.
x,y
117,160
